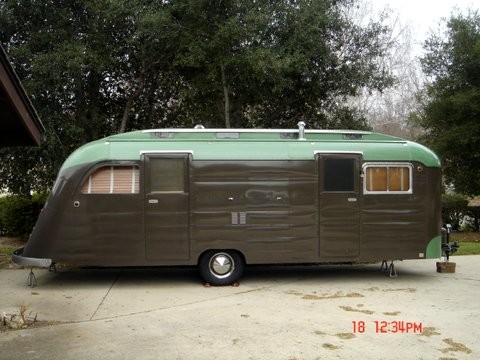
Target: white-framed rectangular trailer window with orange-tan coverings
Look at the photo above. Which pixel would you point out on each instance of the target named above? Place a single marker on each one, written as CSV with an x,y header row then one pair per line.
x,y
388,179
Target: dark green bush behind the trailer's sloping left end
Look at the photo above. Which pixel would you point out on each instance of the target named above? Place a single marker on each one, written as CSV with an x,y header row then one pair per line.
x,y
18,213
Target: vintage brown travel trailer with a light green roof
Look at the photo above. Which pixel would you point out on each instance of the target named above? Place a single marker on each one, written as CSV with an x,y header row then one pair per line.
x,y
225,198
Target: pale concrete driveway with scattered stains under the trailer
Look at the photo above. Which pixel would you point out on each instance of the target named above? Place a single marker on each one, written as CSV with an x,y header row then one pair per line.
x,y
316,312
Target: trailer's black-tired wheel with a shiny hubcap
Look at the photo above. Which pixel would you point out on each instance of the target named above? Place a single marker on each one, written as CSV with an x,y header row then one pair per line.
x,y
221,267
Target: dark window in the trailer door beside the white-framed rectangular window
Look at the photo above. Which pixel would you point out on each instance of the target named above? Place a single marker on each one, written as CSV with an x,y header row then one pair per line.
x,y
339,175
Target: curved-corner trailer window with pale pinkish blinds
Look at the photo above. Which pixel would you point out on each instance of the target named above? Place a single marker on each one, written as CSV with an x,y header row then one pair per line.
x,y
113,180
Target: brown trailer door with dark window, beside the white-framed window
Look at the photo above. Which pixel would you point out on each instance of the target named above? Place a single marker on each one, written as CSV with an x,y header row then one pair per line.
x,y
339,205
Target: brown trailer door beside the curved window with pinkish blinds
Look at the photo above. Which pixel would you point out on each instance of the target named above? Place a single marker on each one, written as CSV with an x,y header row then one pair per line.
x,y
166,207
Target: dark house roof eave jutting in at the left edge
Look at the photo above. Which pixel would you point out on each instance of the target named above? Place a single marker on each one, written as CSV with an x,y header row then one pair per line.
x,y
19,121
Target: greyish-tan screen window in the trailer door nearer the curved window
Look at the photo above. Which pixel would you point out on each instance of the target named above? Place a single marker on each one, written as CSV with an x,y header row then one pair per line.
x,y
167,175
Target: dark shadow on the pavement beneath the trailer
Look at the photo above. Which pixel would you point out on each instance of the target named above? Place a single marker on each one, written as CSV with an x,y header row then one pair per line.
x,y
180,276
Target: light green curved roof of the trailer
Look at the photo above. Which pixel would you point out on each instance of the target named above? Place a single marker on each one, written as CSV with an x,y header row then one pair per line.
x,y
252,144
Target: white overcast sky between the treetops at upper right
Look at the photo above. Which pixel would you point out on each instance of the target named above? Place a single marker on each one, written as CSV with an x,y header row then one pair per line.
x,y
424,15
